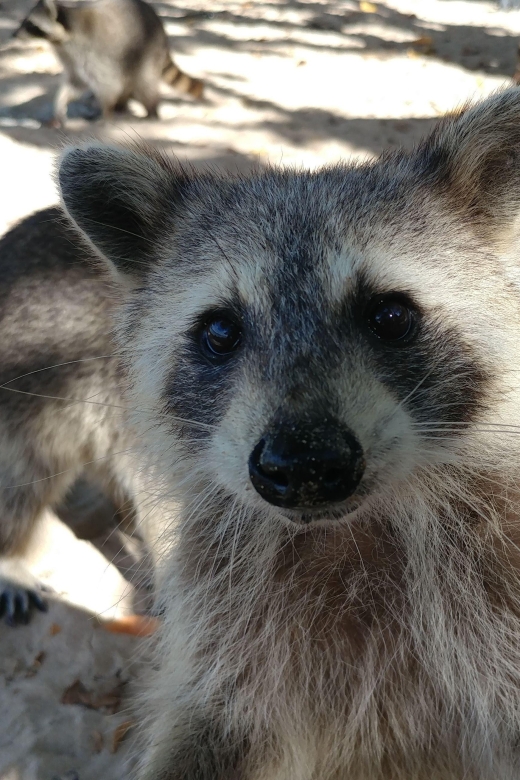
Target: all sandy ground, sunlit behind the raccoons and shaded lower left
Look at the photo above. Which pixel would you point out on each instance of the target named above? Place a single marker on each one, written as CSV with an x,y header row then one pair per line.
x,y
295,82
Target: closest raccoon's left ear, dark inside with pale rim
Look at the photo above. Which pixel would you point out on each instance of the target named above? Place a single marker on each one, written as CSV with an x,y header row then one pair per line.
x,y
122,201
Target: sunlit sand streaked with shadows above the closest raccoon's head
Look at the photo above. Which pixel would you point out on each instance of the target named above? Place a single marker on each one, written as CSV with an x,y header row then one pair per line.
x,y
287,81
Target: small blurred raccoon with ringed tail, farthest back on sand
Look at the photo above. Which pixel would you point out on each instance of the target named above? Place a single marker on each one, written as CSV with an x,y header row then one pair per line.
x,y
118,49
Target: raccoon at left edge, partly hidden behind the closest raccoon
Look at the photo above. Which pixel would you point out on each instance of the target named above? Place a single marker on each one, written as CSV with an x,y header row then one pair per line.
x,y
61,406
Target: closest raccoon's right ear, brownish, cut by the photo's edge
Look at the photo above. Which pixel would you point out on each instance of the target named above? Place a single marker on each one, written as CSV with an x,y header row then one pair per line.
x,y
474,158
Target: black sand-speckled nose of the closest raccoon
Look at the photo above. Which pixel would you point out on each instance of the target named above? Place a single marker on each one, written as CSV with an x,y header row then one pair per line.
x,y
304,465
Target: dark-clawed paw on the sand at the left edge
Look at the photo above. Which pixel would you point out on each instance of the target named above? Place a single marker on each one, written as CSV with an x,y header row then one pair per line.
x,y
20,592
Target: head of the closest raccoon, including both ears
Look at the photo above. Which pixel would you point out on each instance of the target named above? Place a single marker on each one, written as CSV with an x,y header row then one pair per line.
x,y
312,341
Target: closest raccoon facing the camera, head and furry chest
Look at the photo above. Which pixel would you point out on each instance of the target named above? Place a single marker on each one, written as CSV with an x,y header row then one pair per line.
x,y
329,359
